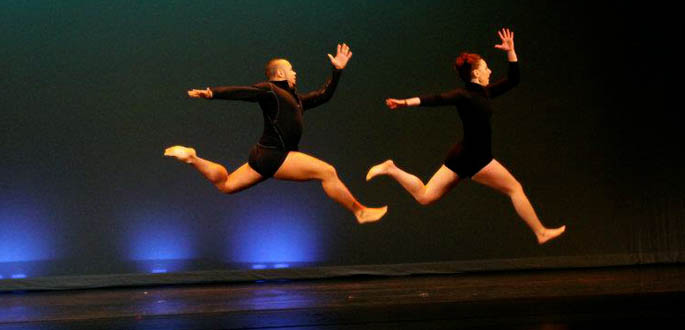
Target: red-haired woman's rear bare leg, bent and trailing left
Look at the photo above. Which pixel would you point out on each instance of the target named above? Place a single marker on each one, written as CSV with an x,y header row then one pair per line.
x,y
442,181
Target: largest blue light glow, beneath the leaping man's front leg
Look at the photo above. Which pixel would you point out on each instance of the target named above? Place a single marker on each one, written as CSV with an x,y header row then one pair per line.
x,y
273,236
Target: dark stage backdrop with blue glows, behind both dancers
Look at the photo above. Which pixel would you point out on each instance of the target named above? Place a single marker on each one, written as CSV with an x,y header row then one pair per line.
x,y
91,92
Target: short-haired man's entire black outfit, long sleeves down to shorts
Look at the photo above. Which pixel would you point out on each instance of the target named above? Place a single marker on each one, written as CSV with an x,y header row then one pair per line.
x,y
282,108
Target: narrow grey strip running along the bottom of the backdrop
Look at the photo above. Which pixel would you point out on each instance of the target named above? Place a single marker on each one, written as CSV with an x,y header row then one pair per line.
x,y
305,273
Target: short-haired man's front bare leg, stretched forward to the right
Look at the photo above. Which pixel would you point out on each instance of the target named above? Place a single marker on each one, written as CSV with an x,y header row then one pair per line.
x,y
302,167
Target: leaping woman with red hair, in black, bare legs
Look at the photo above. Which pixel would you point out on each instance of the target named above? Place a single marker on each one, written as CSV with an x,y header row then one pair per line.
x,y
472,157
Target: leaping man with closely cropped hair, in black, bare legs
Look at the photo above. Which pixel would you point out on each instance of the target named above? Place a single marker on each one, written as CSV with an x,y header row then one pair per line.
x,y
276,155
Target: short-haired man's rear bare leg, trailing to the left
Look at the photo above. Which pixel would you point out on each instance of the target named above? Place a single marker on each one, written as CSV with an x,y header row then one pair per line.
x,y
242,178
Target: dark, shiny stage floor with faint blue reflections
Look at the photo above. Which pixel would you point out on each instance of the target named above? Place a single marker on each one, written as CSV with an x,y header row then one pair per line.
x,y
632,297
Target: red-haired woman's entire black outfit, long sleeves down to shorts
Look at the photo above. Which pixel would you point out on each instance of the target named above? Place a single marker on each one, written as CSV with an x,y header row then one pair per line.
x,y
474,152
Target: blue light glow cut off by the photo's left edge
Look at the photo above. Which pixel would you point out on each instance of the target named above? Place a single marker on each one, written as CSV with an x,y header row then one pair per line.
x,y
25,234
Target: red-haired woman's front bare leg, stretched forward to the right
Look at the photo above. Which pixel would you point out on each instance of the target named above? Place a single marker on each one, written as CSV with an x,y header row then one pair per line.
x,y
495,176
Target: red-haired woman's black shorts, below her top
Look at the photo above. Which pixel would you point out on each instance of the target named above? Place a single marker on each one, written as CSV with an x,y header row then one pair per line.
x,y
466,162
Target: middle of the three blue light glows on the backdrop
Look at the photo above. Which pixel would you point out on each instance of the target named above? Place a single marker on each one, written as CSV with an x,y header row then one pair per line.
x,y
159,236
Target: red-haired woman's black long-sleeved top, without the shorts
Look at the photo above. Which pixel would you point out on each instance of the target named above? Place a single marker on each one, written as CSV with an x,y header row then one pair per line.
x,y
475,110
